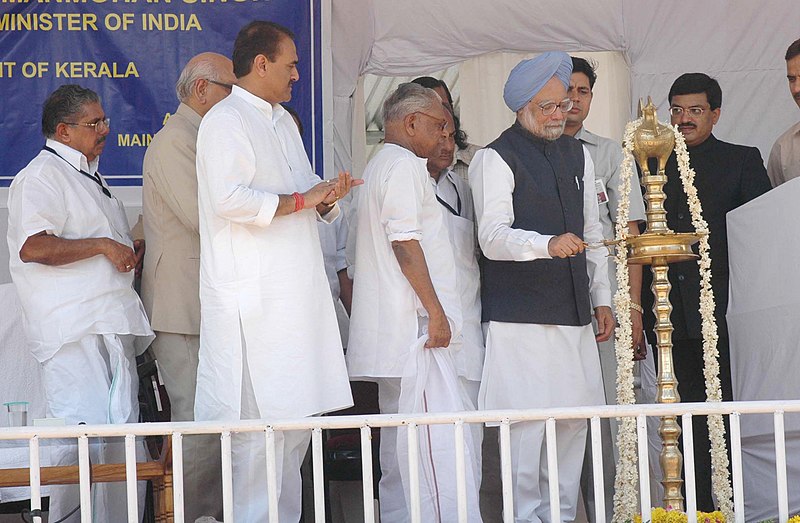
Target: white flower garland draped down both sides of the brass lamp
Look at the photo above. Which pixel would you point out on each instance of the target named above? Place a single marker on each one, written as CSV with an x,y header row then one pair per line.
x,y
625,496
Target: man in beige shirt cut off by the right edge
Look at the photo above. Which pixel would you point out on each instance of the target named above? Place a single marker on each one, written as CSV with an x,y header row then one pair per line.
x,y
784,159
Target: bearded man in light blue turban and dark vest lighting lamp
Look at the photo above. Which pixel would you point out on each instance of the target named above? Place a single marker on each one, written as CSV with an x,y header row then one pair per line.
x,y
537,214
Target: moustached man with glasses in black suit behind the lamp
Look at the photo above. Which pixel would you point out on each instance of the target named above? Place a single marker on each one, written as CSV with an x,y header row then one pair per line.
x,y
727,176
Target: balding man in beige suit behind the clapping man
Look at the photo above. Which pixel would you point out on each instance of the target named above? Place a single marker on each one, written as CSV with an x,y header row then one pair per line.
x,y
170,286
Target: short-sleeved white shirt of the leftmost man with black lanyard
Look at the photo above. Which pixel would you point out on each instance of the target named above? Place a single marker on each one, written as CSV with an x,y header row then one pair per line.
x,y
65,303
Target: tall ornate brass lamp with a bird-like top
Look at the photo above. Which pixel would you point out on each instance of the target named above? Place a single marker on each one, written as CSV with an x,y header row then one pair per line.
x,y
659,246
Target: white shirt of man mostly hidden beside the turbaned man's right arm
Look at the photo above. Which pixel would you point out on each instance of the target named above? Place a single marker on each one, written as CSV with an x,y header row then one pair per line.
x,y
468,351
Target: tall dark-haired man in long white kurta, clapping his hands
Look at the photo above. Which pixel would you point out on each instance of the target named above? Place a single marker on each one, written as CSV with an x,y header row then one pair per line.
x,y
269,344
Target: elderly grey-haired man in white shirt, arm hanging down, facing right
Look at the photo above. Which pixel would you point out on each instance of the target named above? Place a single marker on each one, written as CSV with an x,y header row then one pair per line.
x,y
404,281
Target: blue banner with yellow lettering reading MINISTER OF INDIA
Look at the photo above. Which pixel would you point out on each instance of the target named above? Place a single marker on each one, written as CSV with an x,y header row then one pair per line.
x,y
131,52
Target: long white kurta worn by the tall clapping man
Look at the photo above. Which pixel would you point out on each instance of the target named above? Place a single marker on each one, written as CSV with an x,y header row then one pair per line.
x,y
262,280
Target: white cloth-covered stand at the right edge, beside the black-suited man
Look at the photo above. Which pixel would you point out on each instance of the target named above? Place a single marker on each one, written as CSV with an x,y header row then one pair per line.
x,y
764,335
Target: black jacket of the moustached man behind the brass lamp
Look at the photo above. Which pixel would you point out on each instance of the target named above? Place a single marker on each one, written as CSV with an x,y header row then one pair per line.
x,y
727,176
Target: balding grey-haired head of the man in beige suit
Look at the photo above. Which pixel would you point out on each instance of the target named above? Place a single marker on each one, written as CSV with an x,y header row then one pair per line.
x,y
204,81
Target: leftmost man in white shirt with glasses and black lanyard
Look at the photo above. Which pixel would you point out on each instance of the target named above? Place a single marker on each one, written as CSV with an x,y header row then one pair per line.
x,y
72,261
